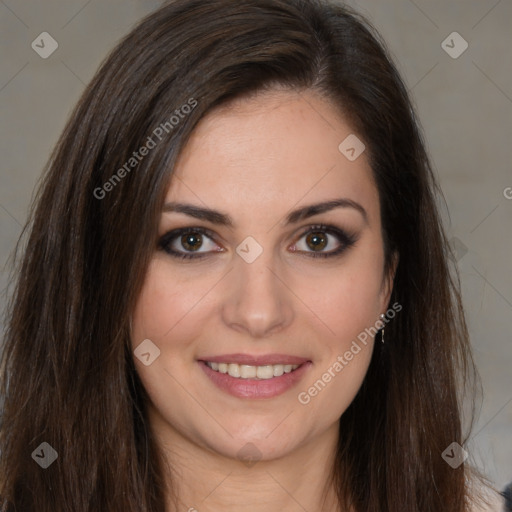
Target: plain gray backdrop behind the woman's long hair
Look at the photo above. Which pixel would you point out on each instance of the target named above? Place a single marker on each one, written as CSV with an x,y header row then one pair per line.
x,y
464,103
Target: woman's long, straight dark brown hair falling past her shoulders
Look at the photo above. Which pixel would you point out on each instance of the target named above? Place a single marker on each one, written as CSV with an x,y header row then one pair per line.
x,y
68,376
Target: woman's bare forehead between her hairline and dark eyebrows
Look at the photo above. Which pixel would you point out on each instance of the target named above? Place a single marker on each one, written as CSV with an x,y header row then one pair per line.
x,y
268,153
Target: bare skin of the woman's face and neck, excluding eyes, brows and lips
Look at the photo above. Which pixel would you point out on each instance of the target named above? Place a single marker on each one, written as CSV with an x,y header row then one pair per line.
x,y
257,159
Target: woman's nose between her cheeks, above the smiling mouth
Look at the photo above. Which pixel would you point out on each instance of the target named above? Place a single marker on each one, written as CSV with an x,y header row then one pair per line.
x,y
257,300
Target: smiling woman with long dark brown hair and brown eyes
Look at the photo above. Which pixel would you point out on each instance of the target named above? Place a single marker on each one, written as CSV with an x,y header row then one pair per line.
x,y
235,290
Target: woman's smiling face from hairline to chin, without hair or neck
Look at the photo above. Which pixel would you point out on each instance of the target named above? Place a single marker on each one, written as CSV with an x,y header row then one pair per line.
x,y
269,278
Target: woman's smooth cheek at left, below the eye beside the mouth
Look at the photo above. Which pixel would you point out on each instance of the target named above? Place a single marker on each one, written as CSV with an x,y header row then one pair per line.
x,y
166,313
